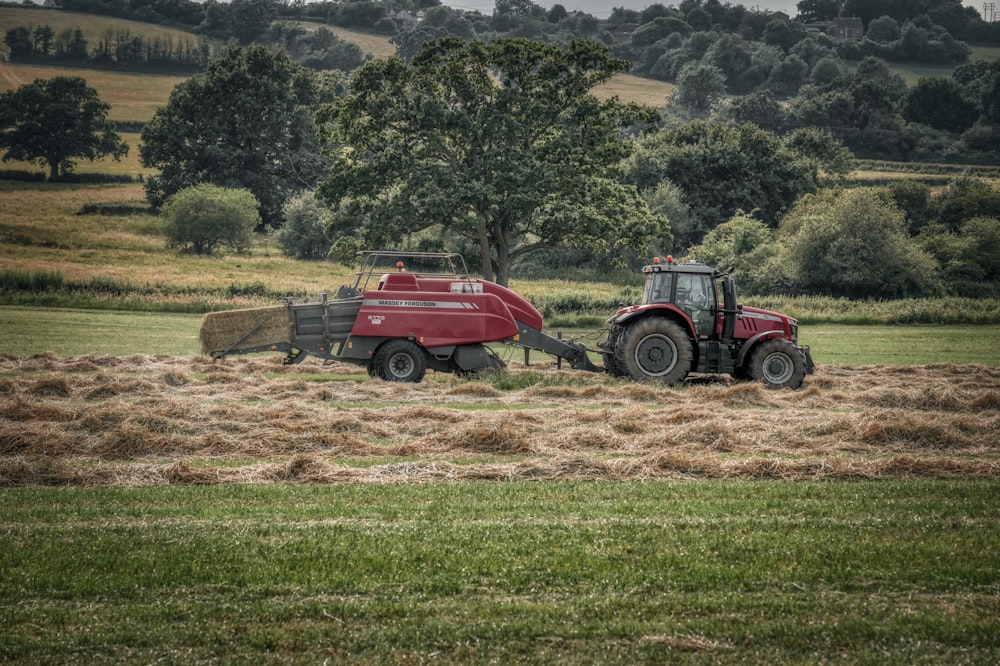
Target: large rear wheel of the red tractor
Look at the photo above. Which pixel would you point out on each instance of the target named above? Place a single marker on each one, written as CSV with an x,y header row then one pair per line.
x,y
655,348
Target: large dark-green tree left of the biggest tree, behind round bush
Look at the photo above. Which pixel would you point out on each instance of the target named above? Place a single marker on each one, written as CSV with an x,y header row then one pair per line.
x,y
245,123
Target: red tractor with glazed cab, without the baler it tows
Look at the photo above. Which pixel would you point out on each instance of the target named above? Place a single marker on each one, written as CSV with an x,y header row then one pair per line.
x,y
683,326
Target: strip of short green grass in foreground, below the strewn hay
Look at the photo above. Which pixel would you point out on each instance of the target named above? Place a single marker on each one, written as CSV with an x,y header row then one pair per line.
x,y
564,572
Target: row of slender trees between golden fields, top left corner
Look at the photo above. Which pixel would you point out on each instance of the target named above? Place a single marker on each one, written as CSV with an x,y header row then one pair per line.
x,y
116,46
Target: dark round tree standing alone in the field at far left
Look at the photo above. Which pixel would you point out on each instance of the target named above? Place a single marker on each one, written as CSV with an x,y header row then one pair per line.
x,y
52,121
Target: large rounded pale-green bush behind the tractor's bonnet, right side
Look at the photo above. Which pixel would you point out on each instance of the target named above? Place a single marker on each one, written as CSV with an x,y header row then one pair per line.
x,y
855,244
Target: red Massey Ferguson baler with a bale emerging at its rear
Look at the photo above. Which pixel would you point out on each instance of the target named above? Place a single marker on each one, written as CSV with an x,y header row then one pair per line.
x,y
398,320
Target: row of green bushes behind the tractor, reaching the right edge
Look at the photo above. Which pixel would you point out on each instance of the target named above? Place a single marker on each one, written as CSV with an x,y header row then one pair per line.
x,y
899,241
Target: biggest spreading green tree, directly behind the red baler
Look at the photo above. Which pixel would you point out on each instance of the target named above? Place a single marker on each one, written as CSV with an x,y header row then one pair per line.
x,y
500,144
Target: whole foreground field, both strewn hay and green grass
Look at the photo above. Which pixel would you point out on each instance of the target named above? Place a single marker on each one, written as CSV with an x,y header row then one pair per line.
x,y
161,507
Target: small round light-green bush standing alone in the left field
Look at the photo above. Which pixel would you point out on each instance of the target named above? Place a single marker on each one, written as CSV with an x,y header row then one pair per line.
x,y
202,218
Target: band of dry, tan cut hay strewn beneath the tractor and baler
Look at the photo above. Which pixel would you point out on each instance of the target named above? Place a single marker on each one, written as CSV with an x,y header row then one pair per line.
x,y
142,420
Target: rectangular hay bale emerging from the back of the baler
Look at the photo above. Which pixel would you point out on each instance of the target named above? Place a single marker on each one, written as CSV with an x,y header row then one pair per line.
x,y
221,330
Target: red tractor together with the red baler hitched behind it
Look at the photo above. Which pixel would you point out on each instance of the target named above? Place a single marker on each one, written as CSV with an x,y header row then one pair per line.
x,y
400,319
